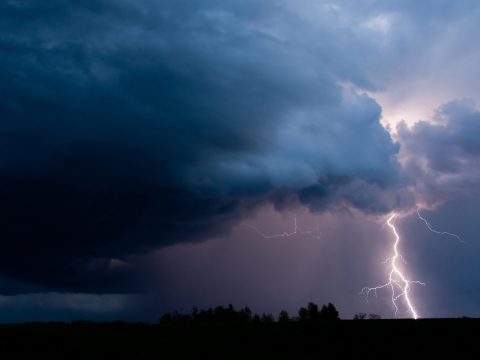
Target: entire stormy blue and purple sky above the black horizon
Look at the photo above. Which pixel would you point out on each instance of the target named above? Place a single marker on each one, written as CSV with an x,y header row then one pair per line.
x,y
150,150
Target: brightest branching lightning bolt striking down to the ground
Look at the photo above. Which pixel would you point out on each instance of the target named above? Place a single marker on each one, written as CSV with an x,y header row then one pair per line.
x,y
398,283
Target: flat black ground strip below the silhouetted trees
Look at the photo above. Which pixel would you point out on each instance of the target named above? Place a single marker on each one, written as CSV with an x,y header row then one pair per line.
x,y
387,339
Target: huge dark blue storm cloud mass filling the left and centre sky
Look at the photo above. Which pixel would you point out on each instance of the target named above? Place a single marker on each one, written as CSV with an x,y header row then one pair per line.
x,y
132,125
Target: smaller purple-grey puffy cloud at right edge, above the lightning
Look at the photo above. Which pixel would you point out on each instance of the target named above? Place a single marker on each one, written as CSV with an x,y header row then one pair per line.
x,y
441,156
